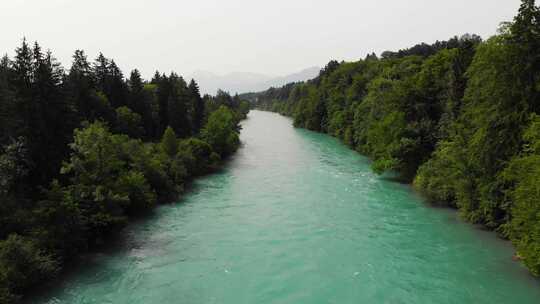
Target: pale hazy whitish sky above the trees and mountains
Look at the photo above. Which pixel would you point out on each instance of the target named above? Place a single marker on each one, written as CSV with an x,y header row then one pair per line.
x,y
271,37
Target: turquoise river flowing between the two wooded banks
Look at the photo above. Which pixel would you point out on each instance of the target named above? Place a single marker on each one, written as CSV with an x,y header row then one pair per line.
x,y
296,217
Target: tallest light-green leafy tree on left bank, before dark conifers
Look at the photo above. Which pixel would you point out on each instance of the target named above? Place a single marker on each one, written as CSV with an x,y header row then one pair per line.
x,y
96,167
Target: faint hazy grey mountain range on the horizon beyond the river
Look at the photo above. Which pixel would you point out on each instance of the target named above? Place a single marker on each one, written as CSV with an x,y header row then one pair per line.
x,y
242,82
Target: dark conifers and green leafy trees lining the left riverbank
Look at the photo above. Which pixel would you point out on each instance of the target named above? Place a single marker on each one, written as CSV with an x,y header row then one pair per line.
x,y
83,150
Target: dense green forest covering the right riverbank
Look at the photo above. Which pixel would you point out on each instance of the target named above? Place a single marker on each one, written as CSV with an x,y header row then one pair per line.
x,y
460,119
